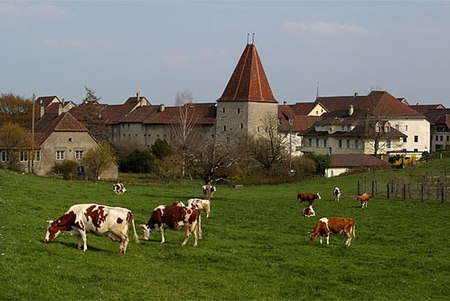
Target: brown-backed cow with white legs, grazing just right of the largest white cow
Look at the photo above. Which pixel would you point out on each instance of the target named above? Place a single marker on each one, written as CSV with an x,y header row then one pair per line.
x,y
174,216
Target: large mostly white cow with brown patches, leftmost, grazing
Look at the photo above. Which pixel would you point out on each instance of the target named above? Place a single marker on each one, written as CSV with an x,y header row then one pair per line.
x,y
101,220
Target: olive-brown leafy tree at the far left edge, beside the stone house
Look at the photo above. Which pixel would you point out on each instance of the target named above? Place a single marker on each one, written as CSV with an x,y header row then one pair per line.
x,y
14,139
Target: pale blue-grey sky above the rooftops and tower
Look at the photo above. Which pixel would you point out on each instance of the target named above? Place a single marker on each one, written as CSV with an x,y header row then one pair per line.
x,y
163,47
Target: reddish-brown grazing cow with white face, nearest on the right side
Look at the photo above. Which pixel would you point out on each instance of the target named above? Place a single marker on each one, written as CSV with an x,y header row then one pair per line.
x,y
336,225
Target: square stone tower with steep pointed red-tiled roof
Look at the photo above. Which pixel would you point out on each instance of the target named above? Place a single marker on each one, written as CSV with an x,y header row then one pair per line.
x,y
247,101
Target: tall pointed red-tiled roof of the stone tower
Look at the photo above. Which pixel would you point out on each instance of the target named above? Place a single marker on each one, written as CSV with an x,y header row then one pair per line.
x,y
248,81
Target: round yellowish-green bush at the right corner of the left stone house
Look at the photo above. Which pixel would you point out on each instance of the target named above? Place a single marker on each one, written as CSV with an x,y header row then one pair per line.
x,y
98,159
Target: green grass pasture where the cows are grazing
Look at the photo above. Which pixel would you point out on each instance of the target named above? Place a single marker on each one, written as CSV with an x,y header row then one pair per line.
x,y
254,246
